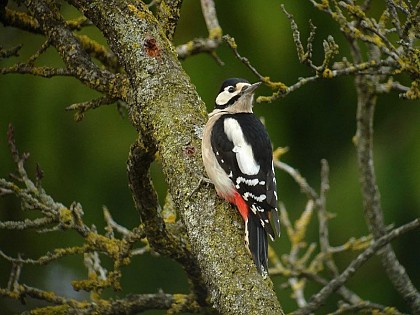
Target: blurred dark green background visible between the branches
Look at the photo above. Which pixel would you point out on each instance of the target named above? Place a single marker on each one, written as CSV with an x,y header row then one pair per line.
x,y
86,161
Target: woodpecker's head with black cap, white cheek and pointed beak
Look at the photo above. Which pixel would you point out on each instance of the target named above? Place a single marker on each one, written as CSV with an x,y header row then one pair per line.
x,y
236,95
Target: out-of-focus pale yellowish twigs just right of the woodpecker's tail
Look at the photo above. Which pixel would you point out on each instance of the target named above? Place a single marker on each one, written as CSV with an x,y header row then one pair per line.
x,y
297,268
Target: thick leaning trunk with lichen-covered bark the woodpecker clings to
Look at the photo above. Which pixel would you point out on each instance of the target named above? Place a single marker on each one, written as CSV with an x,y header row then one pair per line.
x,y
165,106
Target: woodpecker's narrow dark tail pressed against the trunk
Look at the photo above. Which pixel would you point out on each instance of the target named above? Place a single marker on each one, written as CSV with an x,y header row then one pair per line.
x,y
256,239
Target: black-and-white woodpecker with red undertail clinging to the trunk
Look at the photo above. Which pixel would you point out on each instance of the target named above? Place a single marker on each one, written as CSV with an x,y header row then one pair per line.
x,y
237,156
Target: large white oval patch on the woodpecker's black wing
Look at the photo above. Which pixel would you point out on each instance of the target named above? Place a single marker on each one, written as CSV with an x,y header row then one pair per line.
x,y
243,150
